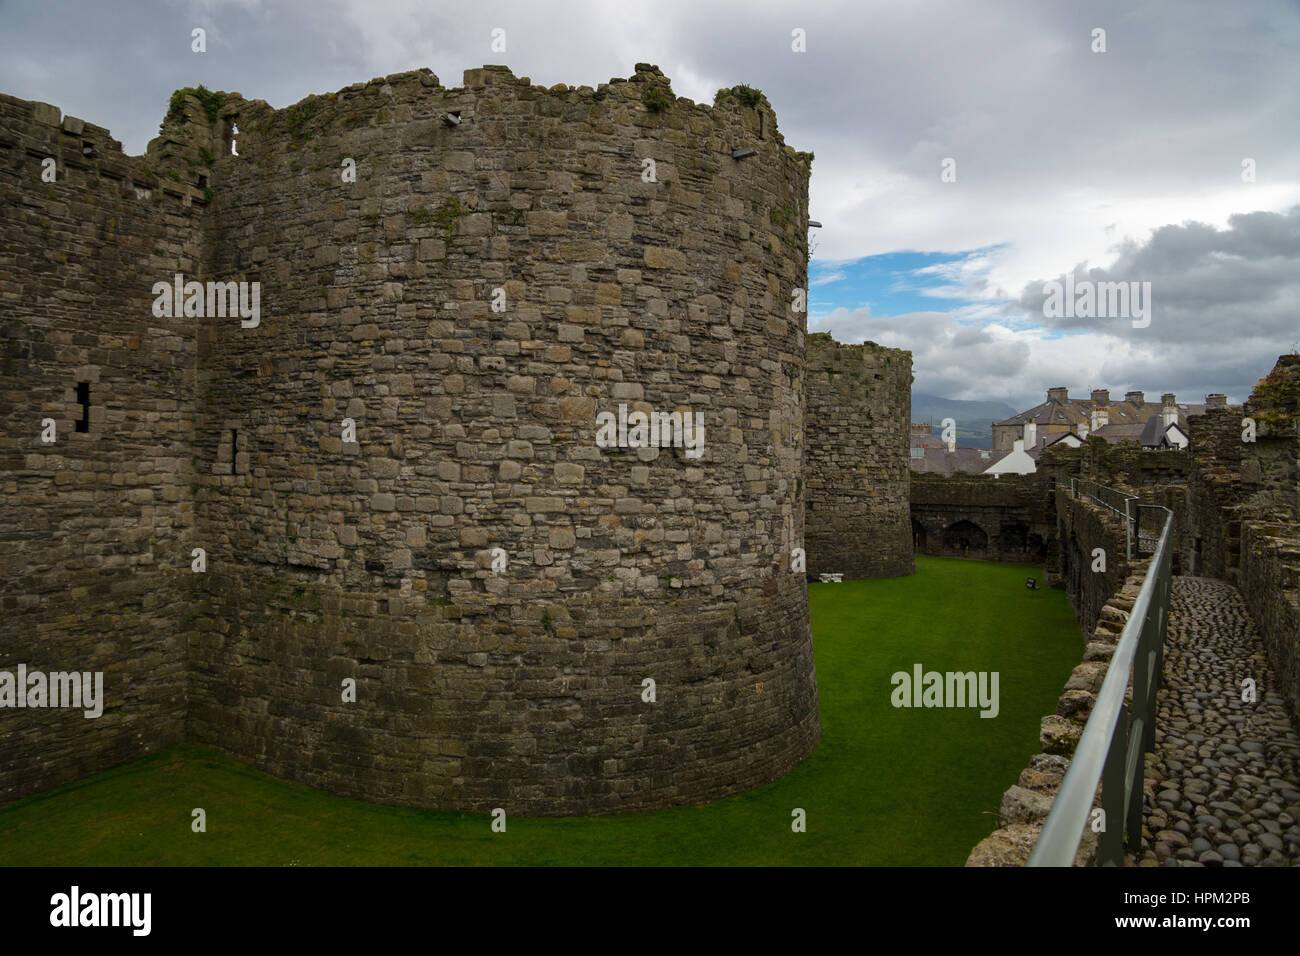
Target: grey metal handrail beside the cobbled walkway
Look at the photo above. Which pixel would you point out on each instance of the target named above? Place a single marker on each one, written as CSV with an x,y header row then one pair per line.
x,y
1111,750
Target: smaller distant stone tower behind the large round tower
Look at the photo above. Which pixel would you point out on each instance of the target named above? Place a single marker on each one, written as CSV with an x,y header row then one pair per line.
x,y
857,477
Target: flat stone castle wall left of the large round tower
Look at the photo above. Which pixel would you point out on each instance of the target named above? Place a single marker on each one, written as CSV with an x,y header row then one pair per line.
x,y
96,527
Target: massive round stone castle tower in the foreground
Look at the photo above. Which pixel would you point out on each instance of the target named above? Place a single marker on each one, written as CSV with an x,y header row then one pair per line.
x,y
476,431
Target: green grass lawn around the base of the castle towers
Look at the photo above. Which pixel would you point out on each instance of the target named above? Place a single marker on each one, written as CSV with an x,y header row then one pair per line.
x,y
885,788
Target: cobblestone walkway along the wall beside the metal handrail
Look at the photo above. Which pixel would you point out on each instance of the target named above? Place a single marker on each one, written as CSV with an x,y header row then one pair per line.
x,y
1223,784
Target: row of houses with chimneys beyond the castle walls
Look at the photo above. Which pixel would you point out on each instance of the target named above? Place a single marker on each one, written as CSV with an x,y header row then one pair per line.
x,y
1020,440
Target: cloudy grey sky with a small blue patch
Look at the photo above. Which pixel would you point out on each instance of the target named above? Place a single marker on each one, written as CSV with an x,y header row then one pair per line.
x,y
1124,166
